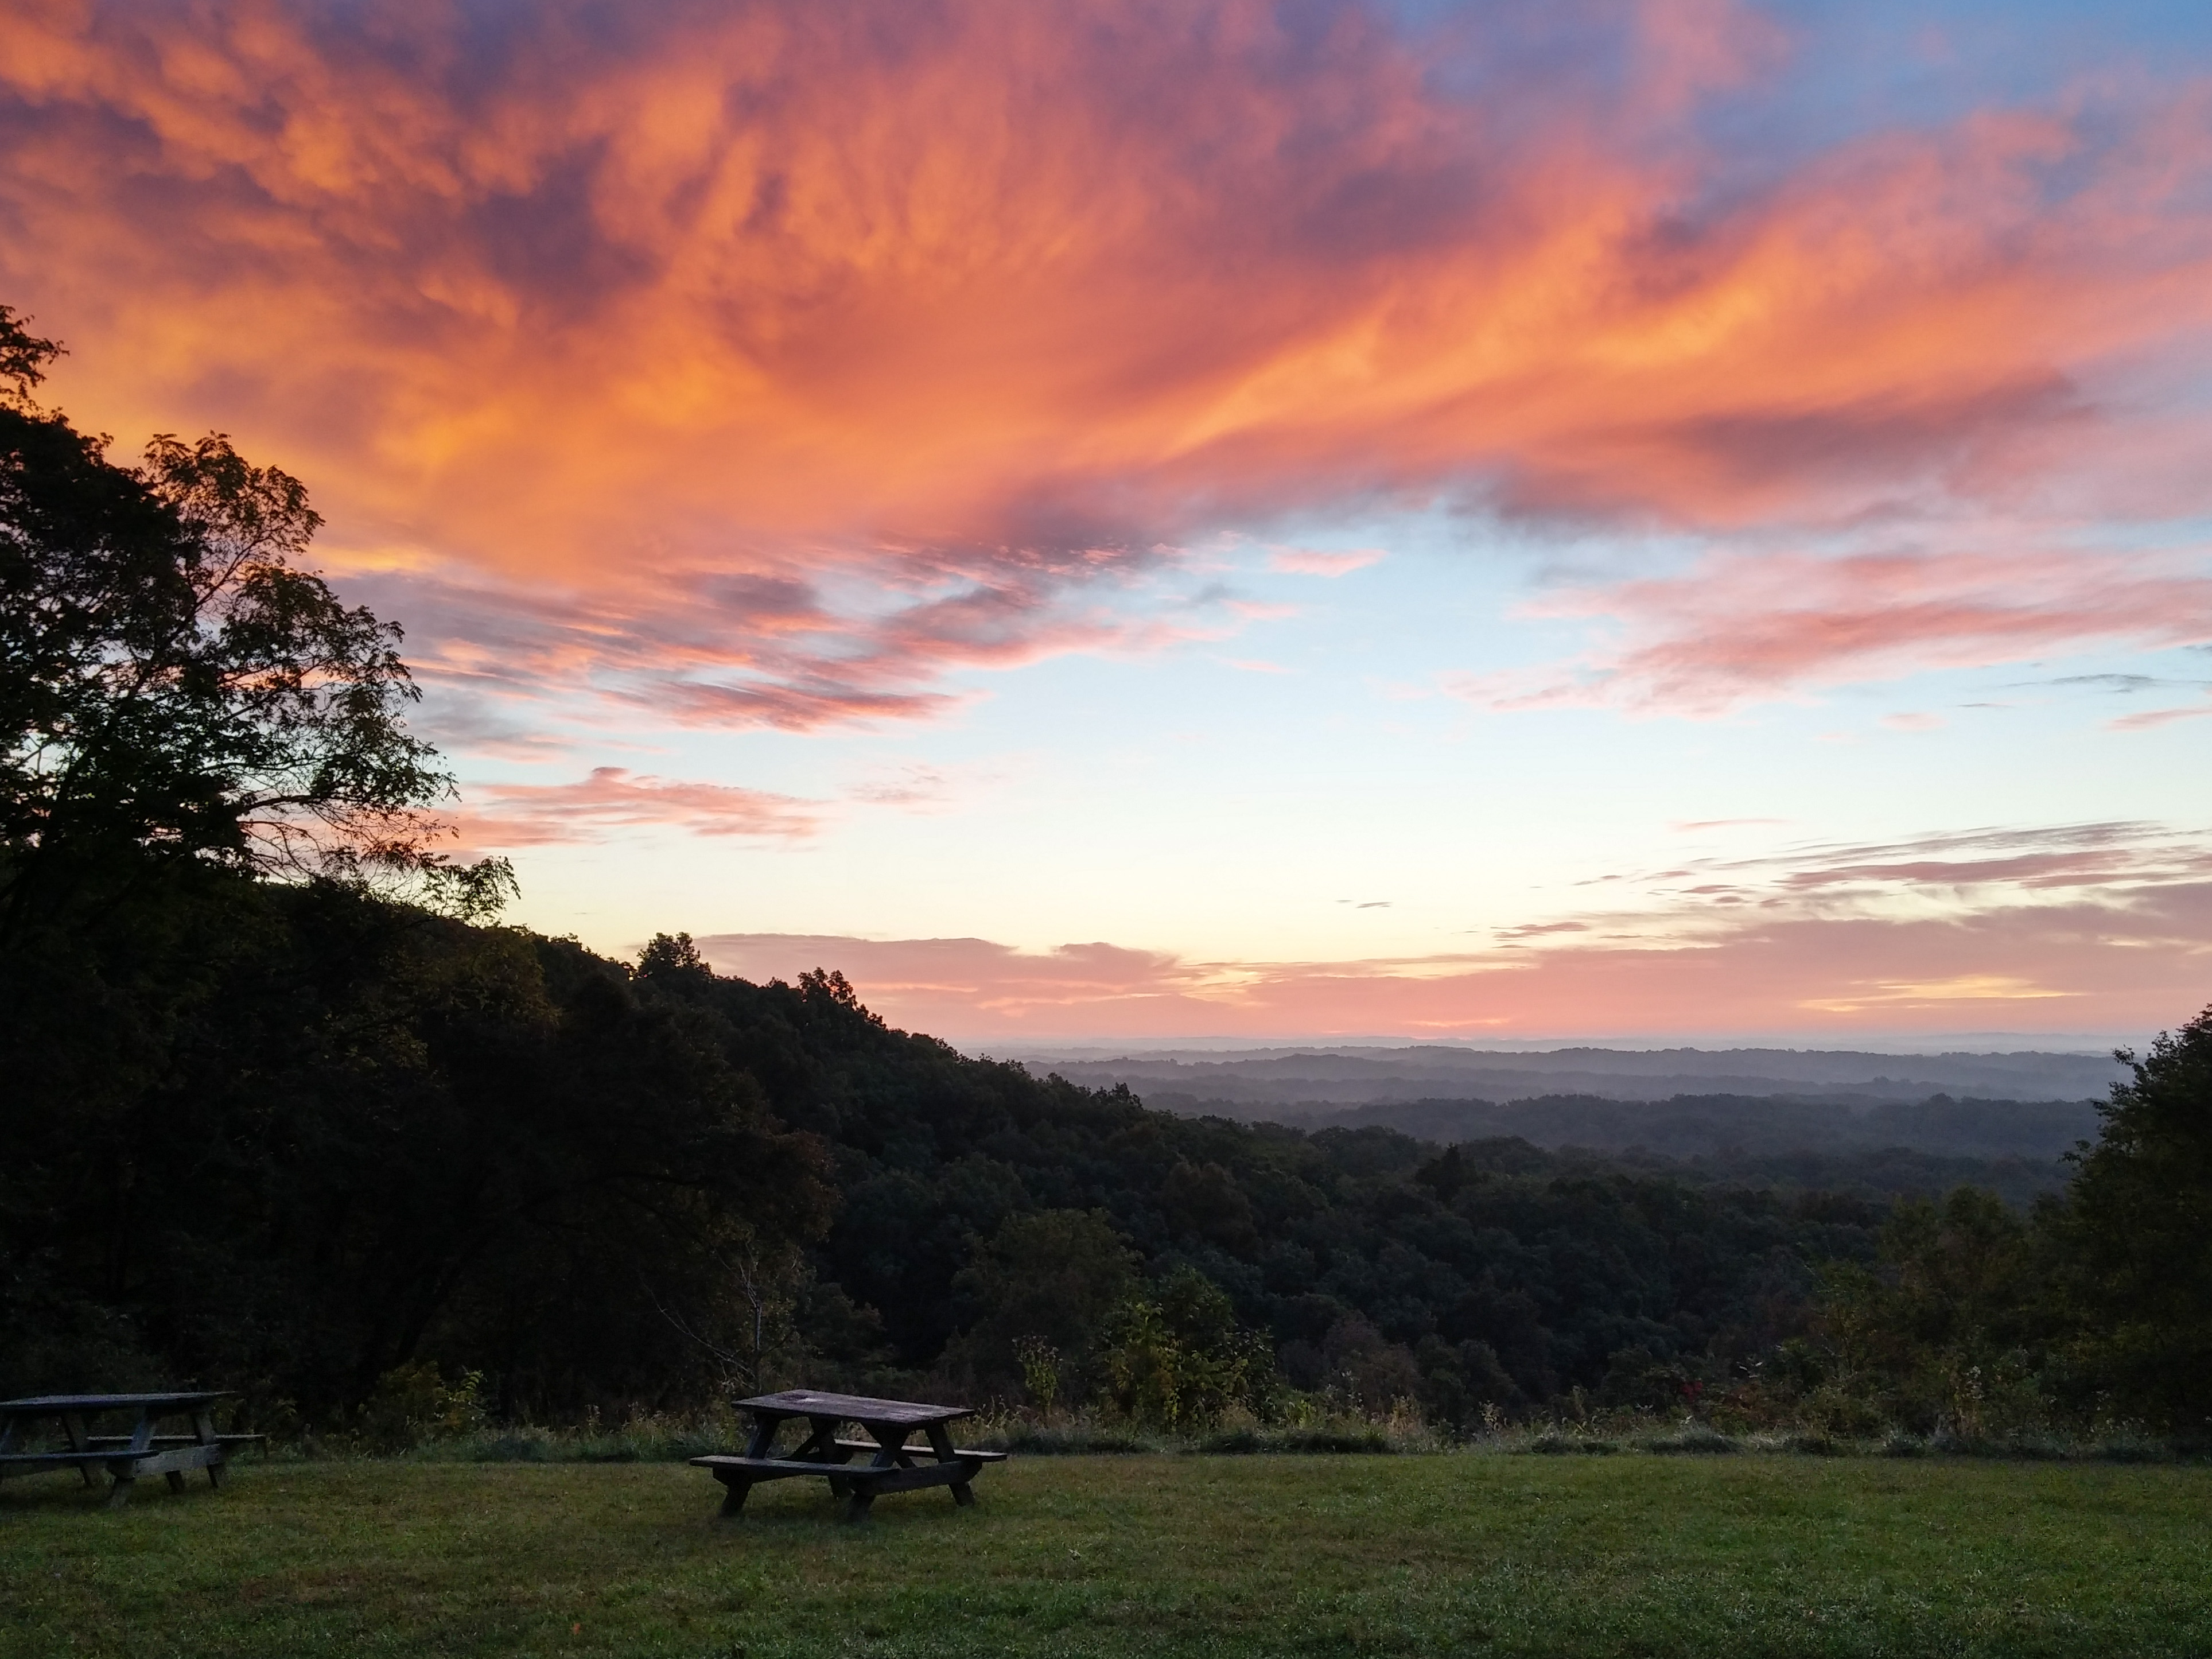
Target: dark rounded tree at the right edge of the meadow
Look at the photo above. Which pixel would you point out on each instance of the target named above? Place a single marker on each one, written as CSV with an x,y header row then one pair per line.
x,y
2138,1227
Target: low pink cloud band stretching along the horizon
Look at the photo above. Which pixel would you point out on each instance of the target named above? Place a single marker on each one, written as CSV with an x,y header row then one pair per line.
x,y
2076,968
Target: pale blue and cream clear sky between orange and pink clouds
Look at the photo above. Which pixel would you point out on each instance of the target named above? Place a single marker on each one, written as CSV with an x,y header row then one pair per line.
x,y
1306,789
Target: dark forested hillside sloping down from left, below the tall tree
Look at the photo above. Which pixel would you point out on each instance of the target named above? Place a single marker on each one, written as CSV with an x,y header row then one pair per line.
x,y
362,1136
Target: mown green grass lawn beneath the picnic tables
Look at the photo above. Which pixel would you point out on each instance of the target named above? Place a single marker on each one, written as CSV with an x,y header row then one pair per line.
x,y
1131,1556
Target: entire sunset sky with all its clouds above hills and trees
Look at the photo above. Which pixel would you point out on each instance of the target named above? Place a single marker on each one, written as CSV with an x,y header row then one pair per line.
x,y
1171,519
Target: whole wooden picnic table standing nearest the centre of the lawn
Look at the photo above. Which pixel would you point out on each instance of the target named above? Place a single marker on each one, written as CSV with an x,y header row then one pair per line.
x,y
893,1465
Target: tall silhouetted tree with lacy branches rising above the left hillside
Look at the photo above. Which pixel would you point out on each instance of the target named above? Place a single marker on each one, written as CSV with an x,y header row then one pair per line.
x,y
176,685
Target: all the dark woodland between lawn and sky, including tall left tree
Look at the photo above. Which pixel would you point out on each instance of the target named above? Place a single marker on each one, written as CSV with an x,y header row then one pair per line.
x,y
293,1114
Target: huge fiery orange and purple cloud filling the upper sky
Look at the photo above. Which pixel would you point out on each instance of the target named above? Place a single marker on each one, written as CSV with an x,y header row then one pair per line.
x,y
992,306
